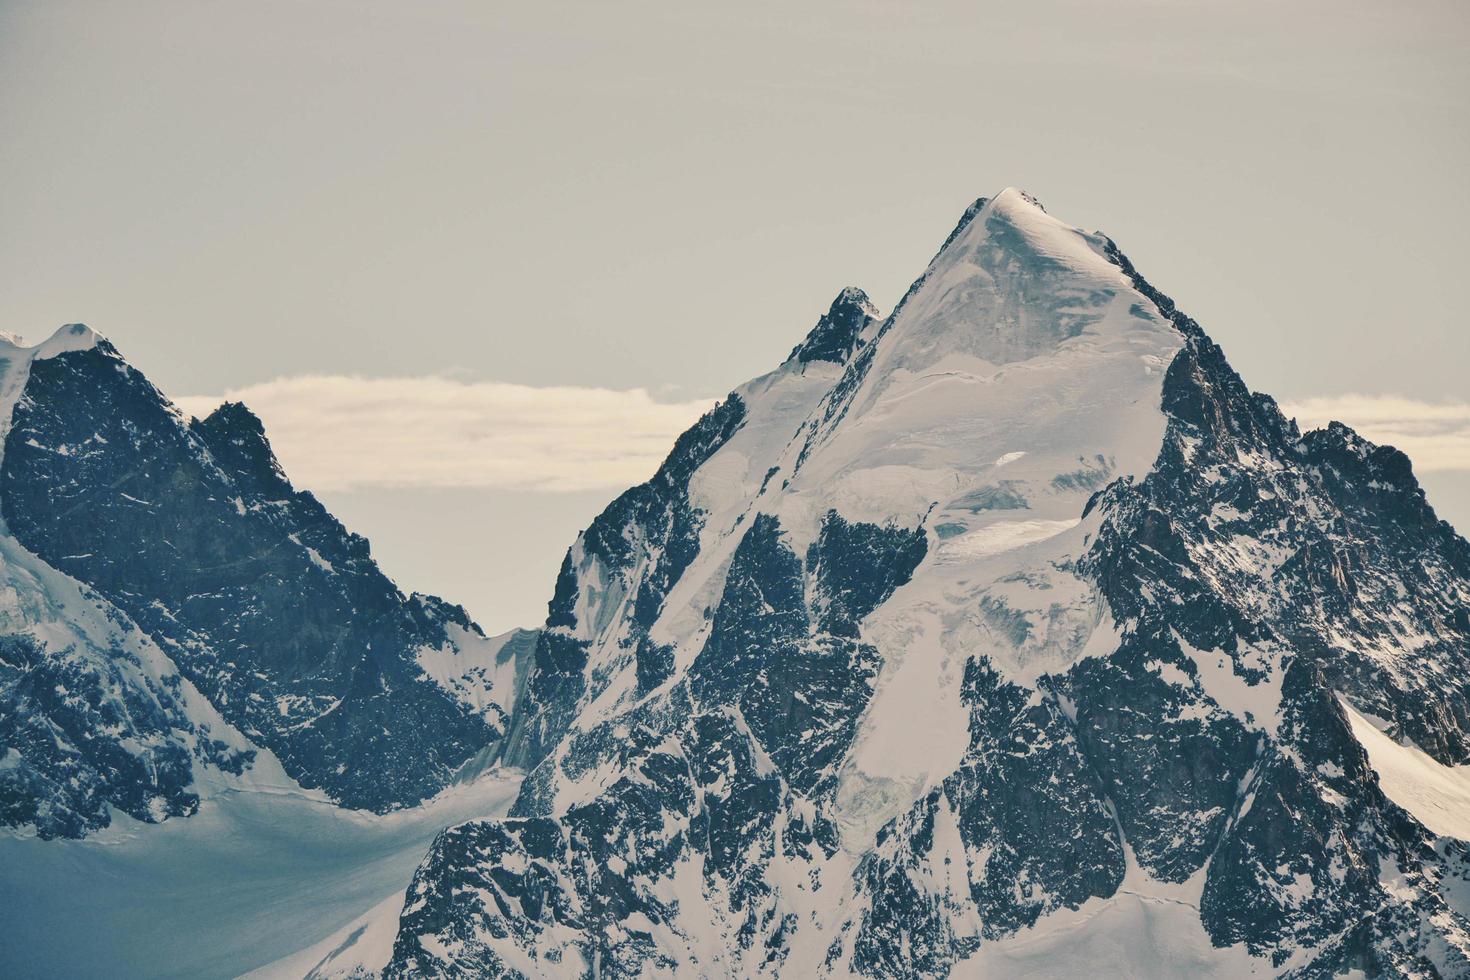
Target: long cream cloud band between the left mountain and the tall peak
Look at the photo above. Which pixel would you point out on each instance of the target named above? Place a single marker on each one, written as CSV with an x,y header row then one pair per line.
x,y
337,433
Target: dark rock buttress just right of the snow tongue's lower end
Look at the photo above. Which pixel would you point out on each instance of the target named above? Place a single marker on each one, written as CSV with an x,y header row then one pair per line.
x,y
1027,800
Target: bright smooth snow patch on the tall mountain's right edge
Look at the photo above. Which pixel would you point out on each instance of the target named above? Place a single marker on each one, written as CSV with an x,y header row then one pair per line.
x,y
1434,794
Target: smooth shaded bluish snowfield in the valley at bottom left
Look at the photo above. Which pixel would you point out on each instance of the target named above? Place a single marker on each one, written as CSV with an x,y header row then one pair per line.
x,y
254,879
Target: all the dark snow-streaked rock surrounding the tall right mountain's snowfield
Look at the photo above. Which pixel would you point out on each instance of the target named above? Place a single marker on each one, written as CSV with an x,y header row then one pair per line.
x,y
1256,580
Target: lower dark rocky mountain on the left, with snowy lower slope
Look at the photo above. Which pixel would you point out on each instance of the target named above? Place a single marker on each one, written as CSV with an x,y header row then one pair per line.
x,y
174,612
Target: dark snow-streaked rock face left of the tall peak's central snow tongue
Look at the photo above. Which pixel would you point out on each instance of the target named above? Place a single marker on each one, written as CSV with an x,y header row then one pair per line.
x,y
712,768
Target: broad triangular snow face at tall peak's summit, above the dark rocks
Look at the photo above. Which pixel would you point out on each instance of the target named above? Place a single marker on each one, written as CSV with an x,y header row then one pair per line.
x,y
1022,343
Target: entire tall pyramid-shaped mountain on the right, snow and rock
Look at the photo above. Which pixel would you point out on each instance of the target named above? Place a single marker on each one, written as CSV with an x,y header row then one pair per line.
x,y
1005,635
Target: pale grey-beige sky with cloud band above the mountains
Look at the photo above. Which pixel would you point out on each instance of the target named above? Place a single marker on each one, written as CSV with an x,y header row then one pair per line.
x,y
477,264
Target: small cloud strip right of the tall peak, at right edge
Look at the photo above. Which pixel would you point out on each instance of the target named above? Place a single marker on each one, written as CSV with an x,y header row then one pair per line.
x,y
1435,436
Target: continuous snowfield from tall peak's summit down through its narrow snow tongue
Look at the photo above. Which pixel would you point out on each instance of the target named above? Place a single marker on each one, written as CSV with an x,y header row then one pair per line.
x,y
1024,352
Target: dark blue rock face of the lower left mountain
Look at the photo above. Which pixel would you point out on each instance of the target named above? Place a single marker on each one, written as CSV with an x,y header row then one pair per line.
x,y
264,600
